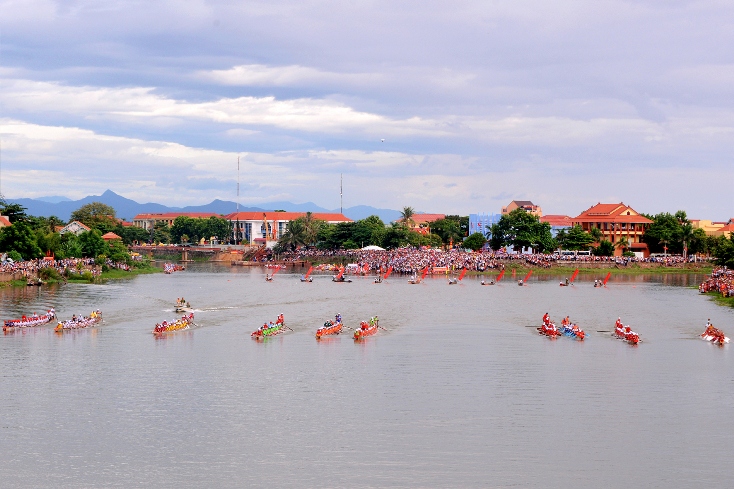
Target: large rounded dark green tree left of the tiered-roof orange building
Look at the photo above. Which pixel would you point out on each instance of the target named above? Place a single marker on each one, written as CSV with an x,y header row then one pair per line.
x,y
521,230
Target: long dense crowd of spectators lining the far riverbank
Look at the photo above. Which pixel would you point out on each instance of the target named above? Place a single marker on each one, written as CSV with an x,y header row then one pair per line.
x,y
412,260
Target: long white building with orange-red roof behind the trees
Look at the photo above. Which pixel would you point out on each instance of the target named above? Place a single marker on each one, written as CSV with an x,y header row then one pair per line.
x,y
267,227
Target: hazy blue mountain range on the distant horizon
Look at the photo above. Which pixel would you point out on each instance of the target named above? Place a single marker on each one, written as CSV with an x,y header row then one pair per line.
x,y
128,209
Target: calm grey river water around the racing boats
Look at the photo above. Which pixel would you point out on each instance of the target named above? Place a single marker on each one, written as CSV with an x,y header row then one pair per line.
x,y
460,391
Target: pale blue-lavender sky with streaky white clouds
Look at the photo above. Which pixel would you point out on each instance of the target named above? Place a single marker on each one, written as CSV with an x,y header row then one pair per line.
x,y
453,106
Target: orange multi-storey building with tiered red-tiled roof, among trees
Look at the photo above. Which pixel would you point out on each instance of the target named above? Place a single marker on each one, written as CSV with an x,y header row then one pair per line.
x,y
616,221
